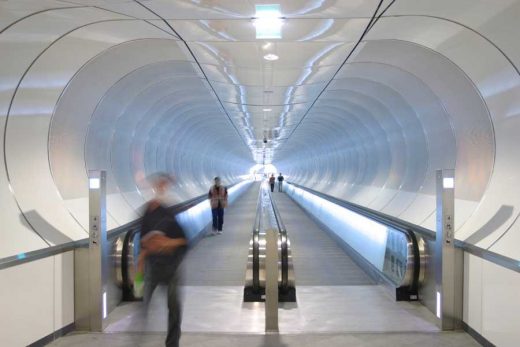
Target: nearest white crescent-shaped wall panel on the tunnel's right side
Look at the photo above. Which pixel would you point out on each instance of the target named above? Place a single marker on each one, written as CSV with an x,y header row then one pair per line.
x,y
482,70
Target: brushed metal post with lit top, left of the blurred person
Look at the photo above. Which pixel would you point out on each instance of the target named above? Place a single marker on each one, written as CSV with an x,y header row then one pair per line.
x,y
91,264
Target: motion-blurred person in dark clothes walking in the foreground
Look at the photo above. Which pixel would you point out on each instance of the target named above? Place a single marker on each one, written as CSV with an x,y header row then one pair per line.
x,y
163,246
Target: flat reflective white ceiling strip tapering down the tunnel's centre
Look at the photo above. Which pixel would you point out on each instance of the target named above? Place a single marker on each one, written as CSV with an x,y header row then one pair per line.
x,y
317,36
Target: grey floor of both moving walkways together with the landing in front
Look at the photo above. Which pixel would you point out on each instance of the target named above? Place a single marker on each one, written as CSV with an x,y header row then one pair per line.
x,y
337,304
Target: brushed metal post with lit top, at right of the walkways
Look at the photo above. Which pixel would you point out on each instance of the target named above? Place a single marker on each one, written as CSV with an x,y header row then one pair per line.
x,y
449,267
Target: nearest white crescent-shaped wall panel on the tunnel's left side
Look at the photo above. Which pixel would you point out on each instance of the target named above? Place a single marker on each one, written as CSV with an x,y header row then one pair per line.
x,y
33,105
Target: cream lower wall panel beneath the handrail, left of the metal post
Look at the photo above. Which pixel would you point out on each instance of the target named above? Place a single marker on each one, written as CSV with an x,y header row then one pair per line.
x,y
37,298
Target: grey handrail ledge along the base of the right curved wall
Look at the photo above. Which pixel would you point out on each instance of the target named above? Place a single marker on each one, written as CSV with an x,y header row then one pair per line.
x,y
495,258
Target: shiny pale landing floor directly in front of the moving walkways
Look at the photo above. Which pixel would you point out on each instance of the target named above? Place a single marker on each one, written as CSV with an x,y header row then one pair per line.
x,y
320,309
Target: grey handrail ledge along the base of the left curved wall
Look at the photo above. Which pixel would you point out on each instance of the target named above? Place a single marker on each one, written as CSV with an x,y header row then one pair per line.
x,y
27,257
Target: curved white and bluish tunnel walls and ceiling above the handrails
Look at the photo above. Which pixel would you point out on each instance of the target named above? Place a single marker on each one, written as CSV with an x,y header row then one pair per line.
x,y
140,86
